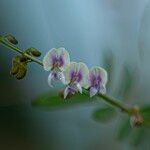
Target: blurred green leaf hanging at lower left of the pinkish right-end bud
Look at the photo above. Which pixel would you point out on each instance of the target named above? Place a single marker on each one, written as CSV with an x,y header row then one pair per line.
x,y
124,130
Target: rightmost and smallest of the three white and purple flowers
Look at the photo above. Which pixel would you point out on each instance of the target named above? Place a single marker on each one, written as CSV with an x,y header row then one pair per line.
x,y
97,80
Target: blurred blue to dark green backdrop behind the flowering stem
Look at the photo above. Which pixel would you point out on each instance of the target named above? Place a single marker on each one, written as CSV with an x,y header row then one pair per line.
x,y
90,30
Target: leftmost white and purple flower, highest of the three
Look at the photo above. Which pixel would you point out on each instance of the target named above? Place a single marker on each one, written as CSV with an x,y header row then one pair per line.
x,y
56,61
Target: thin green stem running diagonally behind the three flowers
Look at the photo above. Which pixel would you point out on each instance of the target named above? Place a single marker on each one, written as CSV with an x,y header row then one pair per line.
x,y
110,100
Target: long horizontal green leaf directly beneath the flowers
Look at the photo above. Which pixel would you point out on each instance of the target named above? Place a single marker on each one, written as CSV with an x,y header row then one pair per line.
x,y
53,100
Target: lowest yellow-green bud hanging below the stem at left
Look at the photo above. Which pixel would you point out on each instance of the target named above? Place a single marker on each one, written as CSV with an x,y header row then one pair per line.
x,y
22,71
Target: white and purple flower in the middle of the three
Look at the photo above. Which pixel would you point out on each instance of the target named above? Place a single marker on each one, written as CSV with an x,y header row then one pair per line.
x,y
76,76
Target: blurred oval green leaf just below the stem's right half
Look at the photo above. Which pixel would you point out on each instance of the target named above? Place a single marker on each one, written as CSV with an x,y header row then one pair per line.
x,y
104,114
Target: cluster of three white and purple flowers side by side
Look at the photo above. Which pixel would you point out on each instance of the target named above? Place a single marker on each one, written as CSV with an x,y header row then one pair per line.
x,y
74,75
